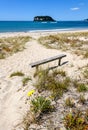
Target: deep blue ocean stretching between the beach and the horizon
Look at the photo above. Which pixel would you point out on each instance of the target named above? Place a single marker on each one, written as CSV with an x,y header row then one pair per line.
x,y
27,26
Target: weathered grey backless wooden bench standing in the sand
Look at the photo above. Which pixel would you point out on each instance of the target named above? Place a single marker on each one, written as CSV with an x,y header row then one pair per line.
x,y
36,64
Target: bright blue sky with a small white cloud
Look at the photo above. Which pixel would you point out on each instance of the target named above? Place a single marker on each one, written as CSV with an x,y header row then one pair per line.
x,y
58,9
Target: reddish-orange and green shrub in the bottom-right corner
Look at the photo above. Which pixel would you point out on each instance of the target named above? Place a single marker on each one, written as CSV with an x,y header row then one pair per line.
x,y
75,120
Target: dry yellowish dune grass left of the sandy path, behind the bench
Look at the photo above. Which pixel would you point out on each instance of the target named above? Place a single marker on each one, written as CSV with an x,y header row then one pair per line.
x,y
11,45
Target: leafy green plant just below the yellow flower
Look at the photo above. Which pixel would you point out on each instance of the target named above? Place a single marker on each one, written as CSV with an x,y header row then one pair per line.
x,y
40,105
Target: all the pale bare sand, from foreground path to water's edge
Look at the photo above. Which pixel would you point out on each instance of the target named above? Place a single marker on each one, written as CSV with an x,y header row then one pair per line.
x,y
13,96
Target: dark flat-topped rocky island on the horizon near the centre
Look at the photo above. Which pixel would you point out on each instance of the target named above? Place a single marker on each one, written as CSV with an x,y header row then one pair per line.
x,y
43,19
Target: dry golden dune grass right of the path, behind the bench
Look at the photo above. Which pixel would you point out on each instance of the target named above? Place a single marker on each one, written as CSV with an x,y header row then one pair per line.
x,y
68,42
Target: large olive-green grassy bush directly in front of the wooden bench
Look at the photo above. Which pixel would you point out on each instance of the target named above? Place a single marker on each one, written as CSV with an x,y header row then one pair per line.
x,y
54,82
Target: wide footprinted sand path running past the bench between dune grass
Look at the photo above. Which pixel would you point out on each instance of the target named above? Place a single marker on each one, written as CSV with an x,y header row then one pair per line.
x,y
12,101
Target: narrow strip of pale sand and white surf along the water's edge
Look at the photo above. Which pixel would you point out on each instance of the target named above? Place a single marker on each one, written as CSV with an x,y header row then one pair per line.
x,y
40,32
